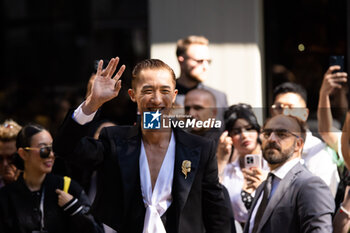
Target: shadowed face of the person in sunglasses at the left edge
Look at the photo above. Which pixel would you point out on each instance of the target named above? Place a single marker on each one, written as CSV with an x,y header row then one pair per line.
x,y
8,171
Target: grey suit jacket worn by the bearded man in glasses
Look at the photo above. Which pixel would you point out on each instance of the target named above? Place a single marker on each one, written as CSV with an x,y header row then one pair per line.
x,y
302,202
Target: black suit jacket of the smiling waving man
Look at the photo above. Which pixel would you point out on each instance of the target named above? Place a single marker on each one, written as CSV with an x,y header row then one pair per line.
x,y
198,201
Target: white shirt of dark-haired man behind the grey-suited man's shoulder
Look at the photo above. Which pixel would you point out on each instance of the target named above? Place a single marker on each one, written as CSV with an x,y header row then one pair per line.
x,y
319,161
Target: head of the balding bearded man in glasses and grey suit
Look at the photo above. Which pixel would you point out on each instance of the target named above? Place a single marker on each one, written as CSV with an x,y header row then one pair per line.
x,y
281,140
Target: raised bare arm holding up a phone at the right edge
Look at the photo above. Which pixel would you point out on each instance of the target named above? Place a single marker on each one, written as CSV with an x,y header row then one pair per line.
x,y
331,81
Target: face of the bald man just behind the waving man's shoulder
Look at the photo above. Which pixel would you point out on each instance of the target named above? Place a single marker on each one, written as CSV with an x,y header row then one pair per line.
x,y
200,106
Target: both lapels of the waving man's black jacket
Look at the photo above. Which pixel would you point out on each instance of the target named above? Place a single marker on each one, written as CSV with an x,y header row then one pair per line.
x,y
128,151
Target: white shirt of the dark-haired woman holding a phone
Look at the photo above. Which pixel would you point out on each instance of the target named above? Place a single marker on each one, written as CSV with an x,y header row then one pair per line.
x,y
232,179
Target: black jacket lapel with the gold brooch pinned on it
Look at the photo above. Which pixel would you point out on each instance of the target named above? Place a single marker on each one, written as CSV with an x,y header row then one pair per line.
x,y
183,151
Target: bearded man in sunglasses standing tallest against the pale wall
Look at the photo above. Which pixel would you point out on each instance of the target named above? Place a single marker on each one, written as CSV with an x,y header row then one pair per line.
x,y
194,59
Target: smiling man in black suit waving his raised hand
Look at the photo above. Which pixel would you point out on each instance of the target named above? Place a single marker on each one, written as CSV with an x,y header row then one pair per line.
x,y
149,180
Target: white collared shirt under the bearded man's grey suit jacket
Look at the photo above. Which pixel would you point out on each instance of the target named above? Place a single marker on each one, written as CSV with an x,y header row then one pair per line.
x,y
279,173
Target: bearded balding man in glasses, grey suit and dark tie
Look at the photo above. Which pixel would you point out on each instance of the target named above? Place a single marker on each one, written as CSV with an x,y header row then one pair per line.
x,y
291,199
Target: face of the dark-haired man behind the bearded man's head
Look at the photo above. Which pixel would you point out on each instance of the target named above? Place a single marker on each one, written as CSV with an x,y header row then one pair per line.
x,y
290,104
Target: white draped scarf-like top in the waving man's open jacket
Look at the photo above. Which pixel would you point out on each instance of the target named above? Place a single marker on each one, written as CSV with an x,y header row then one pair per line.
x,y
157,203
